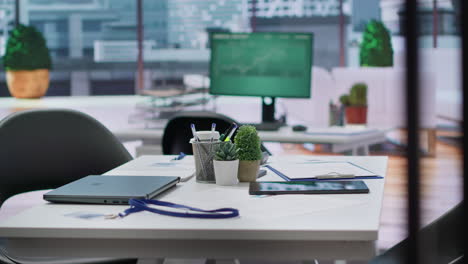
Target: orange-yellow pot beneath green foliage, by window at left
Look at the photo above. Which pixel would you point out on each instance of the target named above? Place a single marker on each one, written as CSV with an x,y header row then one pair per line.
x,y
28,84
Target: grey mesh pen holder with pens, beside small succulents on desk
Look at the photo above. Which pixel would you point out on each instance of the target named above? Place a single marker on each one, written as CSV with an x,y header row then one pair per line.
x,y
203,153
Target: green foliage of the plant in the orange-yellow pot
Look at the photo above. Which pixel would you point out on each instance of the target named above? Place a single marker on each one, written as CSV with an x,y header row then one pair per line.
x,y
26,50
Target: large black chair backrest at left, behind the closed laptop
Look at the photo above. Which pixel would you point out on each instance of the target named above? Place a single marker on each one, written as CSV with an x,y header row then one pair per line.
x,y
42,149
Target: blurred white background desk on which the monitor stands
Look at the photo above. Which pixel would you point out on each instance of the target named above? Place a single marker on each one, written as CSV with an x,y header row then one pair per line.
x,y
357,144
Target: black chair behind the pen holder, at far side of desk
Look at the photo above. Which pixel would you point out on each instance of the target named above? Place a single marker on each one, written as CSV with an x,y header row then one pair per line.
x,y
177,132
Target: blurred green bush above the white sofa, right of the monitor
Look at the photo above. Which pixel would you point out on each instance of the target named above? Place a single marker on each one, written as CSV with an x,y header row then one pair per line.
x,y
376,47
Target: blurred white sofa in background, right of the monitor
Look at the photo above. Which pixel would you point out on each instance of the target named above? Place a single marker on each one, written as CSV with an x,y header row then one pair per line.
x,y
386,96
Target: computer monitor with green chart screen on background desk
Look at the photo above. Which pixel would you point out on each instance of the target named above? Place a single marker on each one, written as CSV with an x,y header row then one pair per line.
x,y
267,65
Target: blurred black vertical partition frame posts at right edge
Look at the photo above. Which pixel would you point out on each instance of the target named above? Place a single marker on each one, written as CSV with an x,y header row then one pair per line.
x,y
416,249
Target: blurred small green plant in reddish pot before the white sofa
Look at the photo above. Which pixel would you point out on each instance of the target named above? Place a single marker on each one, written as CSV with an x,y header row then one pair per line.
x,y
355,104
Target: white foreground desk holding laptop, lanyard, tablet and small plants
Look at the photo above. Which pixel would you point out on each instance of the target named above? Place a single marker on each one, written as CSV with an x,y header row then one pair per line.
x,y
294,227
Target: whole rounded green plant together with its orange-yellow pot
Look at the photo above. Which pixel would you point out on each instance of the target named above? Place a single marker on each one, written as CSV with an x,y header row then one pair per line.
x,y
27,63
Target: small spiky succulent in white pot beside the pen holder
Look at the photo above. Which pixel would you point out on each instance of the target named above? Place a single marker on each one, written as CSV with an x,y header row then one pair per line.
x,y
226,164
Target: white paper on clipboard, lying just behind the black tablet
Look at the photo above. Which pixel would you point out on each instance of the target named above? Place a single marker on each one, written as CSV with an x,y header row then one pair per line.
x,y
308,170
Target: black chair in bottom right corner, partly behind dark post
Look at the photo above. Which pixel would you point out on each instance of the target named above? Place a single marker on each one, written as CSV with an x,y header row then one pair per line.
x,y
443,238
